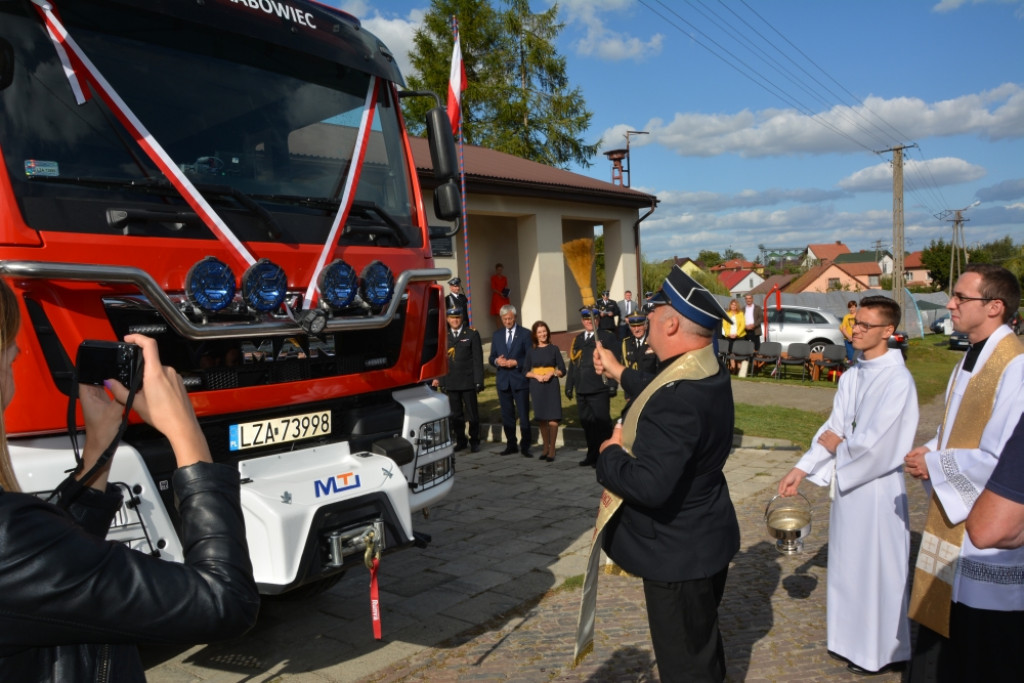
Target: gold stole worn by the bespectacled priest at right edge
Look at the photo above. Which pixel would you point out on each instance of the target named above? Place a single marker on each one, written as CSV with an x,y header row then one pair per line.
x,y
935,569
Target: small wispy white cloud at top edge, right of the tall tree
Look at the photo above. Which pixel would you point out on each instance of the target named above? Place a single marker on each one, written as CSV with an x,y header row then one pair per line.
x,y
605,44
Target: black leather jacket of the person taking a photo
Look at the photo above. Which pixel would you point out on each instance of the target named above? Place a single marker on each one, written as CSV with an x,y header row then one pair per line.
x,y
73,606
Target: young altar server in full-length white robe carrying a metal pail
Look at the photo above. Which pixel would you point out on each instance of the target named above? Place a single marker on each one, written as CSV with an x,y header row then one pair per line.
x,y
859,454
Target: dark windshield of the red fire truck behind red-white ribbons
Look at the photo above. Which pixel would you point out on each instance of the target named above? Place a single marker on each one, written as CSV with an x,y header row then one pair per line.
x,y
246,121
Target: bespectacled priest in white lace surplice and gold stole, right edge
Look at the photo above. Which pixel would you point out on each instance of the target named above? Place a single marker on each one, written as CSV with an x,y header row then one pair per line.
x,y
978,634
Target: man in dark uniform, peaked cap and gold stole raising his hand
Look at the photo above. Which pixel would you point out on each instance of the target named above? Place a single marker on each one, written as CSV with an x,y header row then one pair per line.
x,y
676,527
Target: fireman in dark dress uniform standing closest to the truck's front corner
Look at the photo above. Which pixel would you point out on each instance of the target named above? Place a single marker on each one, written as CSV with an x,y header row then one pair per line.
x,y
464,380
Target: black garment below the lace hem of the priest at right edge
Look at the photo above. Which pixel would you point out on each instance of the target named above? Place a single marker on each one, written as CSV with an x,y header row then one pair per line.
x,y
984,646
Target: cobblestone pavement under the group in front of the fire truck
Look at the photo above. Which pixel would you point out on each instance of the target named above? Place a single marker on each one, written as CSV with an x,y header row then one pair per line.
x,y
489,601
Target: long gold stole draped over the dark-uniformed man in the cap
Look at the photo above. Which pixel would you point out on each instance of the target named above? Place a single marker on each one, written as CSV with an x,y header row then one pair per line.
x,y
697,365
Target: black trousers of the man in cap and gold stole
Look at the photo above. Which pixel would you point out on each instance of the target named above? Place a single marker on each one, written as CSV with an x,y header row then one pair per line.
x,y
684,619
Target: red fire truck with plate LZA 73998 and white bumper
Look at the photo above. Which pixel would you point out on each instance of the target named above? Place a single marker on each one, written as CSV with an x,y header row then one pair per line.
x,y
233,179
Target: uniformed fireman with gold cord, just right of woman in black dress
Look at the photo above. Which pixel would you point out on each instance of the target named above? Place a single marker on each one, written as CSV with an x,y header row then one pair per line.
x,y
593,393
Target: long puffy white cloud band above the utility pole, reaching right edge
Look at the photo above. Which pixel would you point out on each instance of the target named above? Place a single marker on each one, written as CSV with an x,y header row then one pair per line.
x,y
992,115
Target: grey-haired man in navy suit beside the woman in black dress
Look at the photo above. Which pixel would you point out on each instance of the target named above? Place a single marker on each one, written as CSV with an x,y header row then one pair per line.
x,y
508,355
